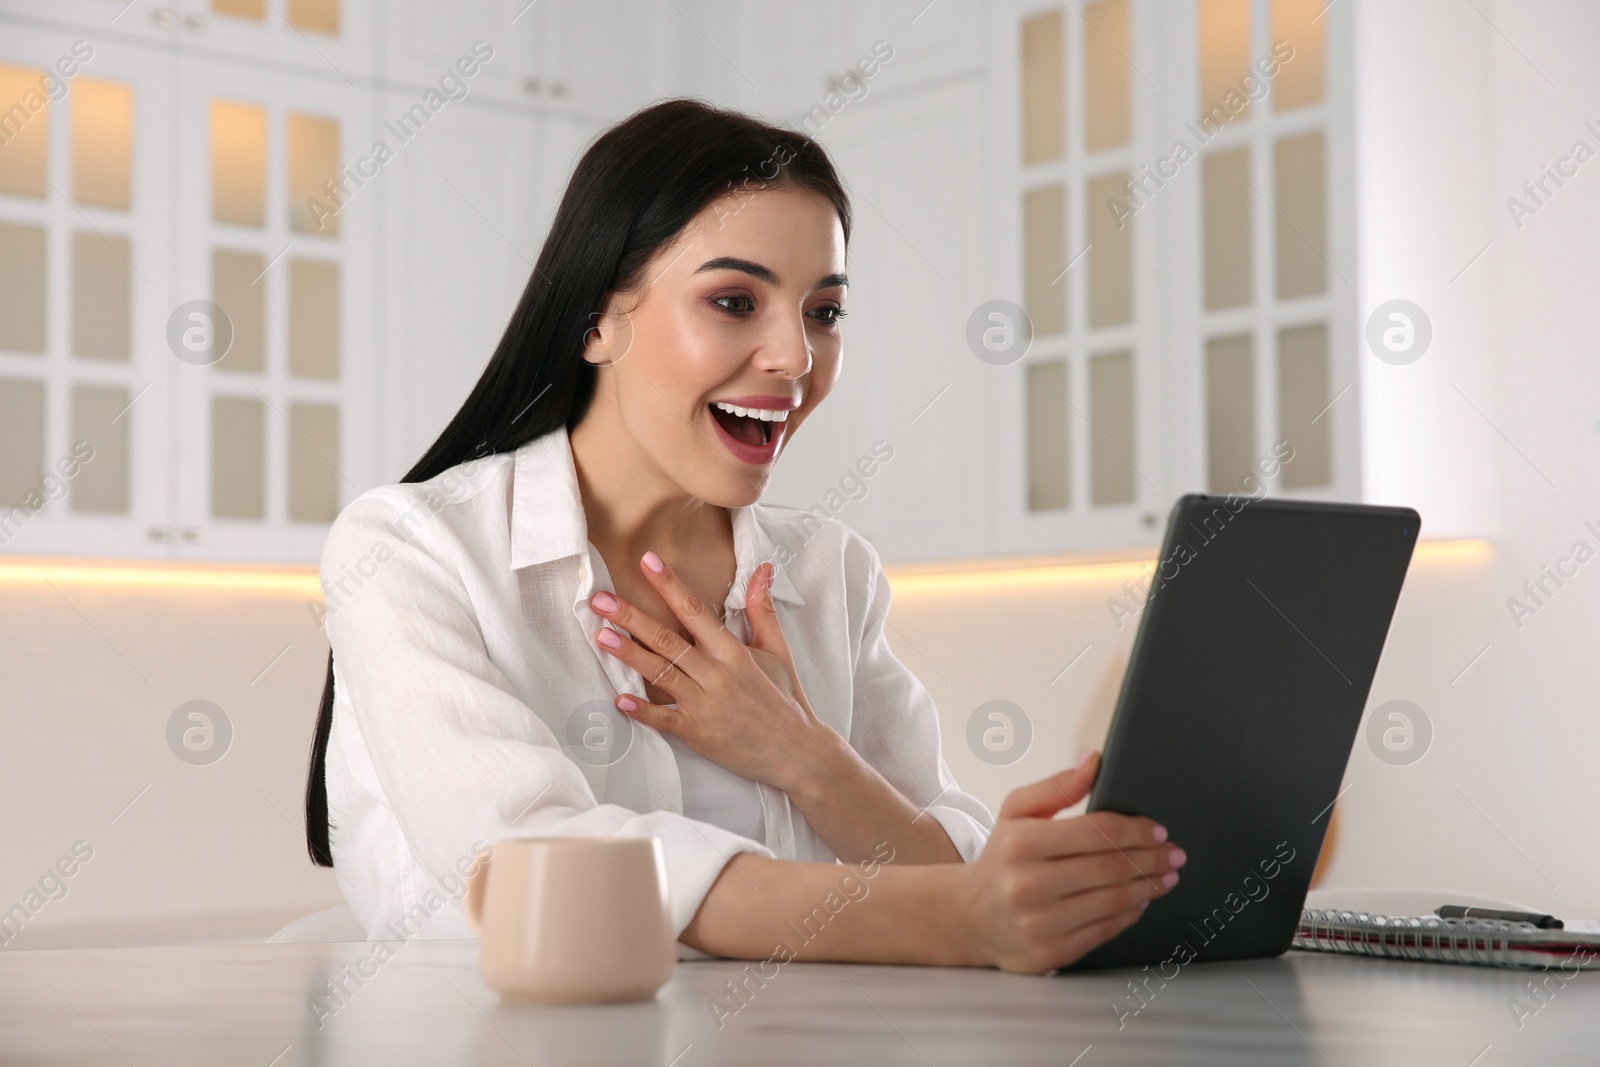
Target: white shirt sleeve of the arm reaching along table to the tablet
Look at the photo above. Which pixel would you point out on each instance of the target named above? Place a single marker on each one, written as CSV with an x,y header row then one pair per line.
x,y
455,756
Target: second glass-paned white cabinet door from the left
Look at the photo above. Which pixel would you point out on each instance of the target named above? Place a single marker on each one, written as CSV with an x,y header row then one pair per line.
x,y
270,329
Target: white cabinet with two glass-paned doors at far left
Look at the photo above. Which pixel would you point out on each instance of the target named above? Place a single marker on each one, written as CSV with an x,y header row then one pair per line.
x,y
207,300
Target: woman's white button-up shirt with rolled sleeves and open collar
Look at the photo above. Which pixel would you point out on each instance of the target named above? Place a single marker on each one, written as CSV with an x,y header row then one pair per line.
x,y
473,701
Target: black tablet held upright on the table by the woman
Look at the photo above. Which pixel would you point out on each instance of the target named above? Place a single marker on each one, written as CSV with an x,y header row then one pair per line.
x,y
1257,647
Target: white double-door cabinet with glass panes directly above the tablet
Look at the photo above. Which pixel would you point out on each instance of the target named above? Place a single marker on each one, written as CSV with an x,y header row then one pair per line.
x,y
1174,185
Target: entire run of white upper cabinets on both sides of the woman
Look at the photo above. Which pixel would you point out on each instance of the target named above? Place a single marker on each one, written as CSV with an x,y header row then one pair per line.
x,y
1191,310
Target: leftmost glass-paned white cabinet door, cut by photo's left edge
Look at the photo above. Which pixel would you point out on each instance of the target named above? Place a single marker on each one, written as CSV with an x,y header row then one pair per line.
x,y
84,289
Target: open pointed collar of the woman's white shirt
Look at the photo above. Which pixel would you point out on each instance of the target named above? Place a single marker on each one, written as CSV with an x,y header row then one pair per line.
x,y
548,519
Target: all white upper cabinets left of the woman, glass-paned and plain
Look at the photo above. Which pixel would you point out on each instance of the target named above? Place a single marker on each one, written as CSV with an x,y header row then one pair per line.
x,y
308,266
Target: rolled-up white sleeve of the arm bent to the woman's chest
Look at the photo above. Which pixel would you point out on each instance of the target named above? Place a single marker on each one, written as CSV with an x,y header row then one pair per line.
x,y
895,724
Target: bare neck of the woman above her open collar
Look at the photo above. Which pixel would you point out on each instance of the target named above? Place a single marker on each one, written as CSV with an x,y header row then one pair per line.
x,y
631,506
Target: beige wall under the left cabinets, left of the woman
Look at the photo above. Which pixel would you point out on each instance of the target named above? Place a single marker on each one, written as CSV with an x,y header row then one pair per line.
x,y
90,679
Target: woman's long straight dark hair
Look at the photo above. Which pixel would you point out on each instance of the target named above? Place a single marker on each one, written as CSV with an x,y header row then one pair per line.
x,y
634,191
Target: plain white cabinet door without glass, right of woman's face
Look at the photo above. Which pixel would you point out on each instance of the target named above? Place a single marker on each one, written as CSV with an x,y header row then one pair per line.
x,y
910,388
